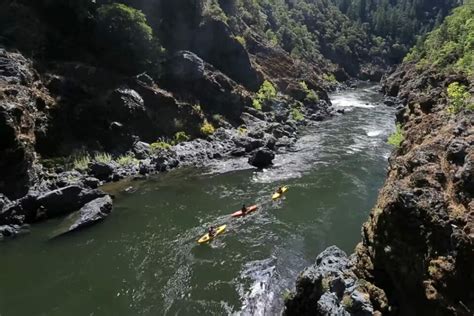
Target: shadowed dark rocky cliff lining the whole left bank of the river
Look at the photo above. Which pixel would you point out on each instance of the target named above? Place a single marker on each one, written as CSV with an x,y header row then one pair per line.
x,y
73,117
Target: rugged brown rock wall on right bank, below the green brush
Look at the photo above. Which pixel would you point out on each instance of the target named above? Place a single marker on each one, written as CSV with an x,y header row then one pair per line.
x,y
418,244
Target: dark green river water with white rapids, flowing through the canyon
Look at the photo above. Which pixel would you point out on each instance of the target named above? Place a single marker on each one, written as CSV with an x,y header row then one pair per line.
x,y
144,259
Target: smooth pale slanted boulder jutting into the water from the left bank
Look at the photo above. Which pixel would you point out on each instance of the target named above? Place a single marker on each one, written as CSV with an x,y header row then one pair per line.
x,y
90,214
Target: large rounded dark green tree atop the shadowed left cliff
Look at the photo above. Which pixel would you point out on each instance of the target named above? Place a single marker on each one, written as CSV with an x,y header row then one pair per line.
x,y
124,39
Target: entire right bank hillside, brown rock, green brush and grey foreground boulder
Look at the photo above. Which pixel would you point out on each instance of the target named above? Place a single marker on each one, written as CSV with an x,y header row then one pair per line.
x,y
417,247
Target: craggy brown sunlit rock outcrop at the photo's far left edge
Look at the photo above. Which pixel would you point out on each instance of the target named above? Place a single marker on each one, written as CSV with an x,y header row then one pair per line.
x,y
21,97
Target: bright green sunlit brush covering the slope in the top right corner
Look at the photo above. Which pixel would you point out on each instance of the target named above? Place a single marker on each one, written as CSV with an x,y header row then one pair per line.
x,y
451,45
